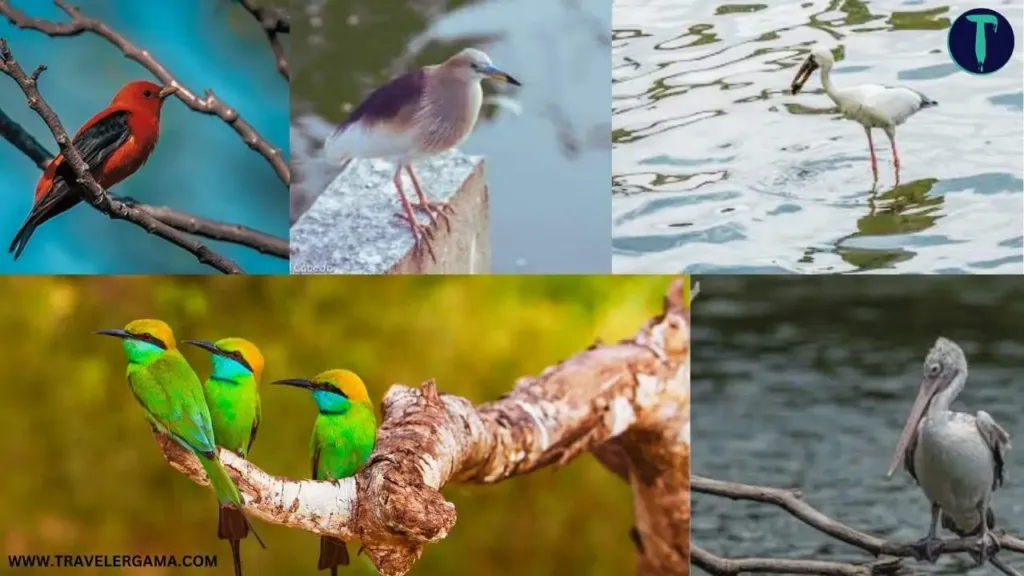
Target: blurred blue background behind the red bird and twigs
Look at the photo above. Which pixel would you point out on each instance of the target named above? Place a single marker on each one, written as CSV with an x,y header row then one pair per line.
x,y
201,166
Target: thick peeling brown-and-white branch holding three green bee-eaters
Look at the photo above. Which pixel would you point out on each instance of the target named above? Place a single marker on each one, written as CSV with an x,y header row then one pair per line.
x,y
624,396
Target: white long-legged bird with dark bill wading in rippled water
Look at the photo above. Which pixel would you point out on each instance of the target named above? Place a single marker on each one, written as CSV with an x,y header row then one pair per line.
x,y
871,105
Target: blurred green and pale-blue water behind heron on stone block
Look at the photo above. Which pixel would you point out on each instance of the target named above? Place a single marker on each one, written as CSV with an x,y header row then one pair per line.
x,y
547,168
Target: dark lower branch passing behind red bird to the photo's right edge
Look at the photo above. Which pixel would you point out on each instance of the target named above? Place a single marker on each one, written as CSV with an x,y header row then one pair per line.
x,y
236,234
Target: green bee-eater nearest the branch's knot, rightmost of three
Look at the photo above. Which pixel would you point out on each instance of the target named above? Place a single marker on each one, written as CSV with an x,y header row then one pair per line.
x,y
344,438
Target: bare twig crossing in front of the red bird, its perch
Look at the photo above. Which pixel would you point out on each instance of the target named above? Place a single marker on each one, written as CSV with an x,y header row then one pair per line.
x,y
95,194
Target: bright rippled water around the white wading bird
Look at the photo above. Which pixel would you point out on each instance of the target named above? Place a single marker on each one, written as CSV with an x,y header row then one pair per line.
x,y
717,169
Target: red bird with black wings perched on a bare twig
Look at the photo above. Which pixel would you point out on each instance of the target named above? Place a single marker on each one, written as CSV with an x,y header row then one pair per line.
x,y
114,144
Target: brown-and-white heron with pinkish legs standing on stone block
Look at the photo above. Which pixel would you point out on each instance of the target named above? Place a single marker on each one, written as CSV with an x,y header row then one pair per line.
x,y
416,116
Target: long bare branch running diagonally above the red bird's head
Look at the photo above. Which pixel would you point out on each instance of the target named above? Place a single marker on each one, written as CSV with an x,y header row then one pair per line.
x,y
210,105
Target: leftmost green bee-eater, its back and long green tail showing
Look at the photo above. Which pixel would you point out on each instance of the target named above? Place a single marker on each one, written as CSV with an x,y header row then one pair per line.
x,y
173,397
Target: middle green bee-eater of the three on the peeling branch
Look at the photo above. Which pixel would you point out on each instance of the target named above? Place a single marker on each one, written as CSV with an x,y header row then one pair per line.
x,y
233,398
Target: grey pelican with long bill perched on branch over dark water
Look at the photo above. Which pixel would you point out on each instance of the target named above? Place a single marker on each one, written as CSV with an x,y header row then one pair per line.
x,y
957,459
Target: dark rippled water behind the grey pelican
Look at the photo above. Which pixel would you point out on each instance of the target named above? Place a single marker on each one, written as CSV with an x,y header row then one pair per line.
x,y
806,384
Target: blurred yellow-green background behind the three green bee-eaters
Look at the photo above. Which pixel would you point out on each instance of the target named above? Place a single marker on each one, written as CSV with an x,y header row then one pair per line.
x,y
82,475
